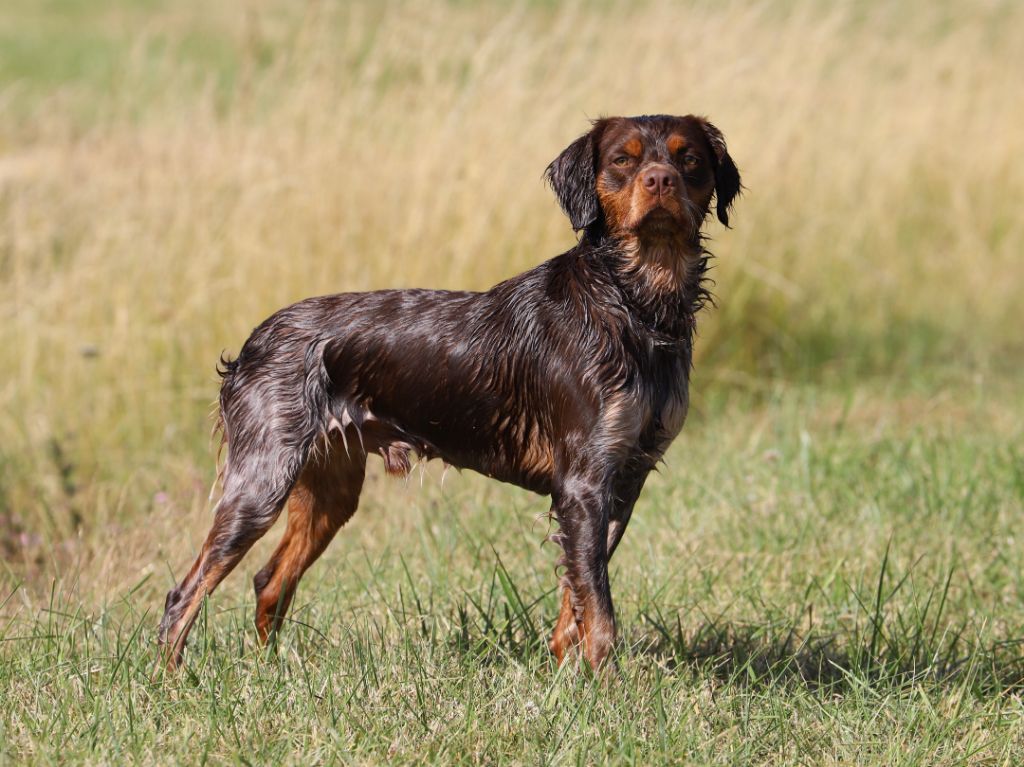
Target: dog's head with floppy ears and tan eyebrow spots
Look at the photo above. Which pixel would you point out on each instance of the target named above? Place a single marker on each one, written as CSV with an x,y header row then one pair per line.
x,y
648,178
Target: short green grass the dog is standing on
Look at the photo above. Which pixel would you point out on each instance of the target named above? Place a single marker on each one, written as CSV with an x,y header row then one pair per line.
x,y
825,580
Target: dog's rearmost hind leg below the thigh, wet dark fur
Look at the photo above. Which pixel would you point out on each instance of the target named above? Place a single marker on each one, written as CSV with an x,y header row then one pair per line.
x,y
253,499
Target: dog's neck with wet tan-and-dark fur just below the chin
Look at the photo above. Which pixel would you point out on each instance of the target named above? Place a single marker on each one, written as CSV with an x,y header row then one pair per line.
x,y
663,280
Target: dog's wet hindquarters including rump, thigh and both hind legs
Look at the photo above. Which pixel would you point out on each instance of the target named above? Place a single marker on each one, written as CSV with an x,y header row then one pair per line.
x,y
273,402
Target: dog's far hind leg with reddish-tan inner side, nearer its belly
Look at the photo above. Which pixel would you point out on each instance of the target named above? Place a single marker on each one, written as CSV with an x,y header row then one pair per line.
x,y
324,499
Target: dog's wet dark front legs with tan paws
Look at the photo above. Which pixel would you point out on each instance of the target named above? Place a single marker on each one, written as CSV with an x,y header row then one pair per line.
x,y
582,507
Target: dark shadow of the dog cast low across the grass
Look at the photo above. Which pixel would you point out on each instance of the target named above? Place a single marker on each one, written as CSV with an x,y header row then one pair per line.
x,y
772,654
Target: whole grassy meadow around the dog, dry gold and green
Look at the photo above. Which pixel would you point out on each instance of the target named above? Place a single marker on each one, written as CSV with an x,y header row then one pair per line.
x,y
826,570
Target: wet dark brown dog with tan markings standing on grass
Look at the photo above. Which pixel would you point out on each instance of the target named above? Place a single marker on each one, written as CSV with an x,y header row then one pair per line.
x,y
570,380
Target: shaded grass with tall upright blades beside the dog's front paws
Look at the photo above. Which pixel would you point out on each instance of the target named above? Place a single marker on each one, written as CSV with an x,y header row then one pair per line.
x,y
879,646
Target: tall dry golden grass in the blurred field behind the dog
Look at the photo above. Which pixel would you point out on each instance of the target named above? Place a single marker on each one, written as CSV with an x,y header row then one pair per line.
x,y
148,225
